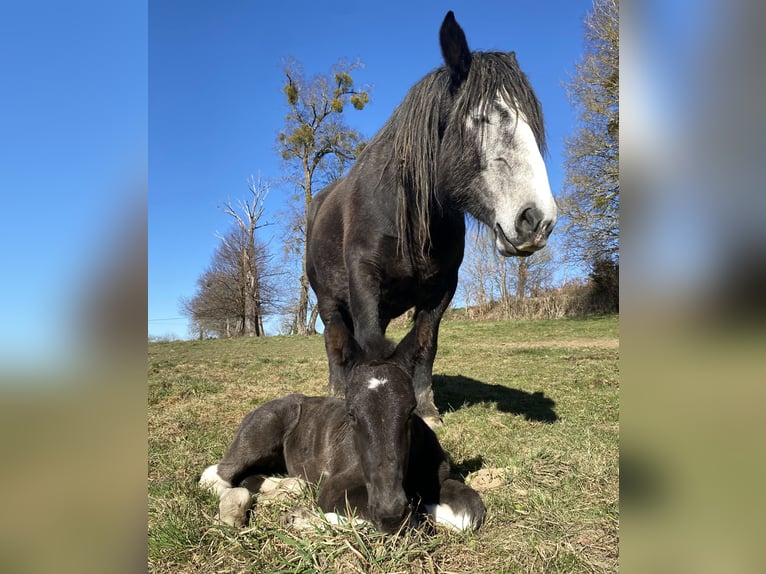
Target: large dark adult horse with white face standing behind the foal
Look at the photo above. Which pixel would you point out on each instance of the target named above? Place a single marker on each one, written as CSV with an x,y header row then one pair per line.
x,y
468,138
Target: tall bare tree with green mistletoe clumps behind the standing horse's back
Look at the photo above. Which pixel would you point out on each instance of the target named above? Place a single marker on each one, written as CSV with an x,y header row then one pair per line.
x,y
318,146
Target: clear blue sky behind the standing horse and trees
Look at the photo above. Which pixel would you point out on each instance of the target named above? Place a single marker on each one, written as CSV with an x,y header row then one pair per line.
x,y
216,105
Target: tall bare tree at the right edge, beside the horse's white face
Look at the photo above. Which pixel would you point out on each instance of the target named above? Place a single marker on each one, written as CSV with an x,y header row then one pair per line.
x,y
590,205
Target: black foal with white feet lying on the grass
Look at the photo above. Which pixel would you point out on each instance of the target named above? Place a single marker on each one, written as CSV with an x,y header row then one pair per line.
x,y
369,454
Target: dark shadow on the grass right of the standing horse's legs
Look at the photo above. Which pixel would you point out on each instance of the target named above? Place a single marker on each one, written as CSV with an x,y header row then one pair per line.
x,y
452,393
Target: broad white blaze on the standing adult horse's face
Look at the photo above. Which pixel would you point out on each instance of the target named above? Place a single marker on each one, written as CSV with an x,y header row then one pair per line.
x,y
514,177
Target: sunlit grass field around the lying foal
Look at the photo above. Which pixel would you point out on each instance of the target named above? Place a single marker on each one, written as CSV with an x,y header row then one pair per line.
x,y
530,413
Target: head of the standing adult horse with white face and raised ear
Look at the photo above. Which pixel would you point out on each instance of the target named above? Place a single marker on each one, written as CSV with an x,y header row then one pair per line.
x,y
502,181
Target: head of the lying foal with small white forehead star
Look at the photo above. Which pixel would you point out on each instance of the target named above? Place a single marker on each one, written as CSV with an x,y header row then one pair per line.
x,y
380,403
